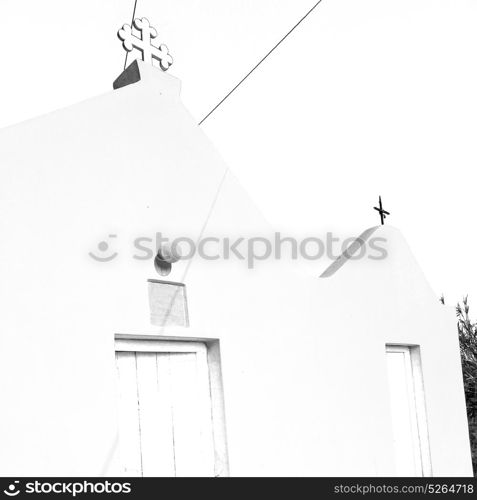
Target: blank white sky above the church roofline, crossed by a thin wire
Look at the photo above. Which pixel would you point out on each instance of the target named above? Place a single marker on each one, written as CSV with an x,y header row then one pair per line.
x,y
366,97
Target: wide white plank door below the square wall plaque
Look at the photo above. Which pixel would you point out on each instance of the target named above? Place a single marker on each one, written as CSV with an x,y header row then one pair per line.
x,y
165,418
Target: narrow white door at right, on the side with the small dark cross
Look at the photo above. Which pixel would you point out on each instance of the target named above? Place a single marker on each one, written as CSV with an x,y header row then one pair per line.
x,y
409,423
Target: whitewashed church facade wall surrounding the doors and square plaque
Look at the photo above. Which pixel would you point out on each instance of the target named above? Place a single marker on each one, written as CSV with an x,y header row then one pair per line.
x,y
302,357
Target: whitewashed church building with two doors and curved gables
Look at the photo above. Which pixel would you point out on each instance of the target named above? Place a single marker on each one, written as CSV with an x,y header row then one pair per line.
x,y
111,365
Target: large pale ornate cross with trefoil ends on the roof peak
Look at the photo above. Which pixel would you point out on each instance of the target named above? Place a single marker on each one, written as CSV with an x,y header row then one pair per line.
x,y
149,51
